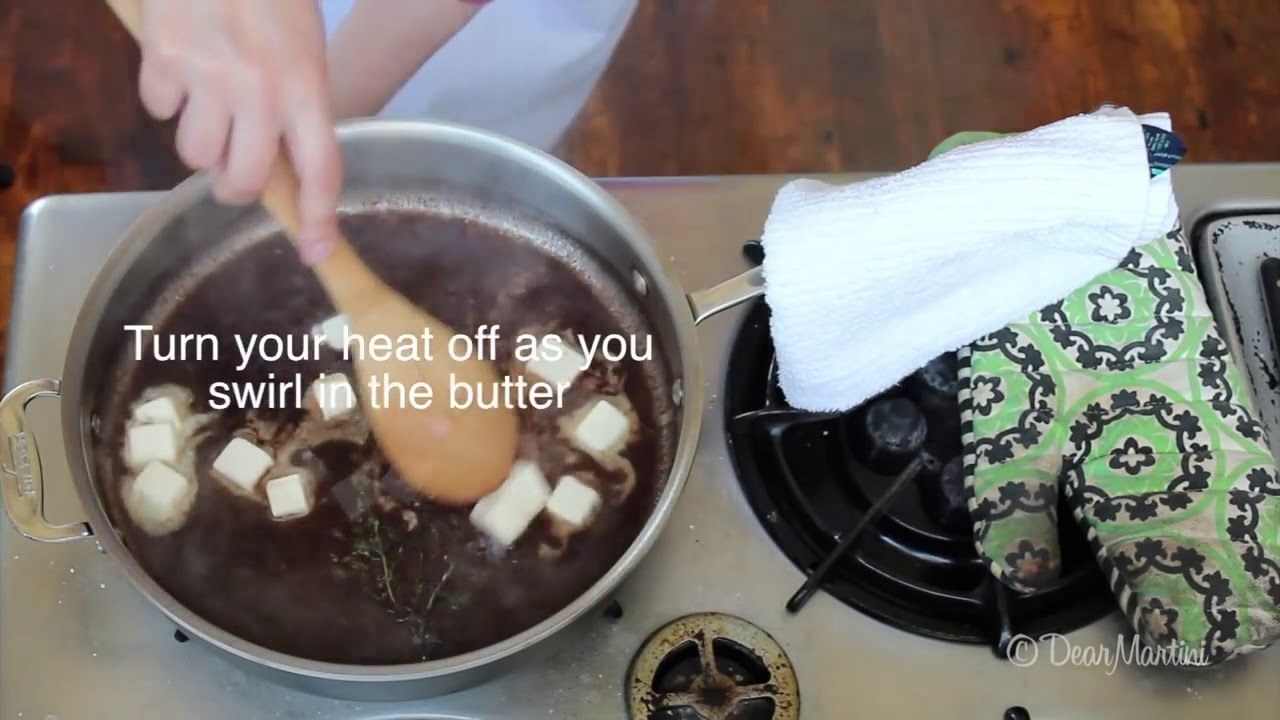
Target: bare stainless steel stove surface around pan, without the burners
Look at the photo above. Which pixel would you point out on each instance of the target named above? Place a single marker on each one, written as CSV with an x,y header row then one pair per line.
x,y
77,642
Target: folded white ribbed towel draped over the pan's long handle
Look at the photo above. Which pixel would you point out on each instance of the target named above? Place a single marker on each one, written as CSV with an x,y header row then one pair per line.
x,y
870,281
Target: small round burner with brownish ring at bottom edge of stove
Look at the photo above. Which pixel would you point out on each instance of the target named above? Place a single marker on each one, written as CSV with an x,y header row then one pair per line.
x,y
712,667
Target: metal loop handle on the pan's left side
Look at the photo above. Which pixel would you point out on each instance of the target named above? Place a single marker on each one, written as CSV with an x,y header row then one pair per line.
x,y
22,485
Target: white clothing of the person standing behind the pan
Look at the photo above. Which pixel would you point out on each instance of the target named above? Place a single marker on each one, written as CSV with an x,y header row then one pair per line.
x,y
523,69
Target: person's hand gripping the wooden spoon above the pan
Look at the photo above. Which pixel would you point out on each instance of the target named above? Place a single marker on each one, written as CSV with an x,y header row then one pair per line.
x,y
245,75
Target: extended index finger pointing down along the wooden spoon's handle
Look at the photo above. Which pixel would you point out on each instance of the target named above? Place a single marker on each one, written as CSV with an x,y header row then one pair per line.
x,y
318,160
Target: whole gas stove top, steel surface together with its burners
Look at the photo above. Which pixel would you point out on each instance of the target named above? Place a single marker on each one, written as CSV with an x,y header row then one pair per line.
x,y
907,630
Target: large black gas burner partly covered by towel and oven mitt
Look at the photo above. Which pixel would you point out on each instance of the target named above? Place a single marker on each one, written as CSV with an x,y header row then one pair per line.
x,y
871,505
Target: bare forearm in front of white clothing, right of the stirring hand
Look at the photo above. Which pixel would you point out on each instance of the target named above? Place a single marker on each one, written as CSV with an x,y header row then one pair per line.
x,y
381,44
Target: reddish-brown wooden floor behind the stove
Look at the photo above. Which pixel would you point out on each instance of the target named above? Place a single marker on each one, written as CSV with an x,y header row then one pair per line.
x,y
729,86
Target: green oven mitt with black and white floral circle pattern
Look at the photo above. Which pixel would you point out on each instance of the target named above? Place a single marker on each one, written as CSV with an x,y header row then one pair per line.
x,y
1124,399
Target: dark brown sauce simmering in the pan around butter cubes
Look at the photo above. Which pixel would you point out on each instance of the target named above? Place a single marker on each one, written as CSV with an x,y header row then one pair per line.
x,y
408,581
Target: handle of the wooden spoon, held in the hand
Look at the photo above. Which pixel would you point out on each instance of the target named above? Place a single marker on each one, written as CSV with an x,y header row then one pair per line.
x,y
350,284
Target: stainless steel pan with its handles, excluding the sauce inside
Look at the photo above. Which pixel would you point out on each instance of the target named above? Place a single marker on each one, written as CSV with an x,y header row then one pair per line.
x,y
413,170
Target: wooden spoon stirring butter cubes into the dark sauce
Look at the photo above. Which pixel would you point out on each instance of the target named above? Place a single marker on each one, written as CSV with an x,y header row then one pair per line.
x,y
451,455
